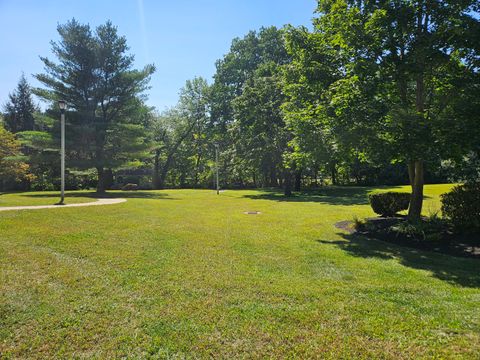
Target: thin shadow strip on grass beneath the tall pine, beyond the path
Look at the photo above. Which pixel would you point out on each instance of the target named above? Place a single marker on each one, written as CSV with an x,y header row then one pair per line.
x,y
92,194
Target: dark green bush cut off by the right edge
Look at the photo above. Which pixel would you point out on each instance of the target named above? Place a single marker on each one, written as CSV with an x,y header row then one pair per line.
x,y
462,207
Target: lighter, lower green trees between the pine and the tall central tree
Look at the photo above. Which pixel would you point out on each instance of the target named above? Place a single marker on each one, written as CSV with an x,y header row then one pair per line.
x,y
179,138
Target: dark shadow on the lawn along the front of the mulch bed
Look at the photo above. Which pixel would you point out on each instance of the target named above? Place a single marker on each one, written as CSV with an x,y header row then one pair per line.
x,y
455,270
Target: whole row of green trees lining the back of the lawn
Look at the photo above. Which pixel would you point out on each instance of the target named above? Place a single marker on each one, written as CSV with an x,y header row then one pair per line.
x,y
378,92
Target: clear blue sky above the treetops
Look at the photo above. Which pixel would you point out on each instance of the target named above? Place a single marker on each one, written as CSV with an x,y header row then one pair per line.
x,y
183,38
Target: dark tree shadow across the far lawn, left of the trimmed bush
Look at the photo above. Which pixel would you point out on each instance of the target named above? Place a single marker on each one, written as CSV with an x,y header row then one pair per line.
x,y
334,195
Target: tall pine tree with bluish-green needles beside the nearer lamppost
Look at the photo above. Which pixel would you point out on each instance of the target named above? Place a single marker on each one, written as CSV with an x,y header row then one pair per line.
x,y
95,76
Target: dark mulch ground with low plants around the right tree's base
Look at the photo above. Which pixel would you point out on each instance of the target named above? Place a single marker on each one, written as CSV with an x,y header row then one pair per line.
x,y
447,243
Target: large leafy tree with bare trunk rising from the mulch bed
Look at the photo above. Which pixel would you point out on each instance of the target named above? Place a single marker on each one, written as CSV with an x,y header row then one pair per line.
x,y
385,81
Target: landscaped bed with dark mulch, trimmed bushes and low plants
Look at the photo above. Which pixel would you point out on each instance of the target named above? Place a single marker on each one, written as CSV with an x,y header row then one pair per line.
x,y
455,233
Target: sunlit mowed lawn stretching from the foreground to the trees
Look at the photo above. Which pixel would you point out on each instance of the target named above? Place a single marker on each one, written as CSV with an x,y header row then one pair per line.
x,y
185,273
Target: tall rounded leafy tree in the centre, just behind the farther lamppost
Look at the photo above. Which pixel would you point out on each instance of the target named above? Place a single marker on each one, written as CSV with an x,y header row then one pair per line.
x,y
246,99
